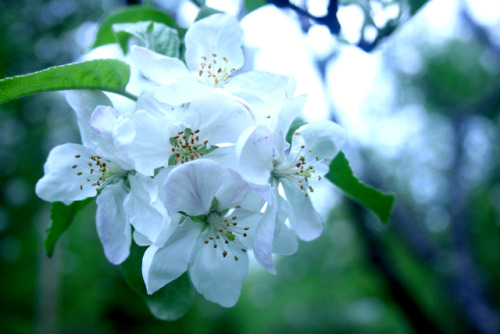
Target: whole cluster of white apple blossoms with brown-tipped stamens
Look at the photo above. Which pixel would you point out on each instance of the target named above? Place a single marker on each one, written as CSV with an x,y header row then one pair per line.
x,y
200,172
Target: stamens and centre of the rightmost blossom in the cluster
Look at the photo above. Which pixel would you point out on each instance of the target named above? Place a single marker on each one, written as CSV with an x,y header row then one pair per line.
x,y
297,170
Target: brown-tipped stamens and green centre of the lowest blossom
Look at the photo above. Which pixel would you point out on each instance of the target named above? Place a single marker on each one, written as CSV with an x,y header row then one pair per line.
x,y
224,231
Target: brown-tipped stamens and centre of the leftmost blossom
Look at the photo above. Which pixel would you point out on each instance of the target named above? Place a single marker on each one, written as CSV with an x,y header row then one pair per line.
x,y
97,172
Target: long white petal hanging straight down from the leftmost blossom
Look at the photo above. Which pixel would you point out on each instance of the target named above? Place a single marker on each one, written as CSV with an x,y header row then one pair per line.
x,y
112,224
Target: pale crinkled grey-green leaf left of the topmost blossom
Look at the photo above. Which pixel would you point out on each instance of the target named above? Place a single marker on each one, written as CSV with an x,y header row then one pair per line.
x,y
152,35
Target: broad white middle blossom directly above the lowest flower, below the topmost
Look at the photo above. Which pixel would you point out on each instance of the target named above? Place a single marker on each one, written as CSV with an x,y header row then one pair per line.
x,y
162,136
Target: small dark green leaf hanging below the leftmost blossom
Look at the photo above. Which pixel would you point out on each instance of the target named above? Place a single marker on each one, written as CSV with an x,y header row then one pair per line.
x,y
61,217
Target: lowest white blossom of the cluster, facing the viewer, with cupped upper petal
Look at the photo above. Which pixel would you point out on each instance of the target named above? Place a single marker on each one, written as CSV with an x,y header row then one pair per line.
x,y
216,218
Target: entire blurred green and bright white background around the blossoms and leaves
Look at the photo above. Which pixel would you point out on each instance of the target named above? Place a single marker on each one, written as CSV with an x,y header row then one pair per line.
x,y
416,84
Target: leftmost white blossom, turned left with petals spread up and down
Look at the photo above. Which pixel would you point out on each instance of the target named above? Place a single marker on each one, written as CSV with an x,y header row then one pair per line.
x,y
74,172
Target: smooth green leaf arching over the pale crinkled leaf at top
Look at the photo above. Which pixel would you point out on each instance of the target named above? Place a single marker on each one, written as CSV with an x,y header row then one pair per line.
x,y
130,14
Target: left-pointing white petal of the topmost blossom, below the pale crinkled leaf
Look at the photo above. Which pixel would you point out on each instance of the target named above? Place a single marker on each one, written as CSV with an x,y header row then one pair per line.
x,y
156,67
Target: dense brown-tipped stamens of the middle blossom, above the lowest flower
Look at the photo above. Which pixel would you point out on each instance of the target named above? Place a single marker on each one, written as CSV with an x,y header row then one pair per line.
x,y
186,146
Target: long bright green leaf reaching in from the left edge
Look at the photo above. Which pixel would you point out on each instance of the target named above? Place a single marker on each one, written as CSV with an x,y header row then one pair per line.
x,y
104,74
